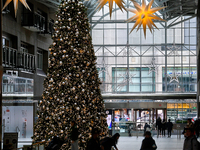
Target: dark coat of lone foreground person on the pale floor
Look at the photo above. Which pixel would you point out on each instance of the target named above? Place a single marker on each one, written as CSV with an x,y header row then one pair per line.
x,y
148,144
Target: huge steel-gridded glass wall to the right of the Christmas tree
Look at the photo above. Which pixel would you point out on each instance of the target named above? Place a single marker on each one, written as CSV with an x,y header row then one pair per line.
x,y
164,61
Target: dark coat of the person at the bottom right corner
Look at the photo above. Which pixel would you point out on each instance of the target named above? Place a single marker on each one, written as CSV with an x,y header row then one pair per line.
x,y
190,143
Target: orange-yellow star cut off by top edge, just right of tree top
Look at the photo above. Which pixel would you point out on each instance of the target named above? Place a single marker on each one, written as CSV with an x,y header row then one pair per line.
x,y
118,2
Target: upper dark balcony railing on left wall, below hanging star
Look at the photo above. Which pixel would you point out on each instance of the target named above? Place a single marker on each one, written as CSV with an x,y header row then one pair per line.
x,y
33,21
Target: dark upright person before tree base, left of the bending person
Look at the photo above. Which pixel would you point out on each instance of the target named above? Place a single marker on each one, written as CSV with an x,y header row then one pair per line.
x,y
94,143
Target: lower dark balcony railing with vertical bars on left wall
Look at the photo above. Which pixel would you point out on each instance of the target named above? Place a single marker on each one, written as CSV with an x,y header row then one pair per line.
x,y
14,59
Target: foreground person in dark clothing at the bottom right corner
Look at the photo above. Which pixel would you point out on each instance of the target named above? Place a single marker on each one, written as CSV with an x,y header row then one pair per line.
x,y
190,142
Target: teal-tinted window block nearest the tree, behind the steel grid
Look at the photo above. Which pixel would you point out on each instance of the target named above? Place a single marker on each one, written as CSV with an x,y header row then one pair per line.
x,y
132,80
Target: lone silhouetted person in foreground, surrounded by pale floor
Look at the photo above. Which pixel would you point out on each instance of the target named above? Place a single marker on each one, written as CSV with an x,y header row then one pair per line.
x,y
148,143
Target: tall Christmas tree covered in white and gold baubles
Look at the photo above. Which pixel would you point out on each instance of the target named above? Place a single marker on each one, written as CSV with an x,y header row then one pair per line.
x,y
72,87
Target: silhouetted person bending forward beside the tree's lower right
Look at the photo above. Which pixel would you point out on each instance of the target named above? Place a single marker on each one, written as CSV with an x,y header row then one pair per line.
x,y
109,142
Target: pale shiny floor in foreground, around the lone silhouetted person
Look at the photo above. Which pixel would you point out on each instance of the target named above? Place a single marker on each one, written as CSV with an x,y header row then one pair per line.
x,y
163,143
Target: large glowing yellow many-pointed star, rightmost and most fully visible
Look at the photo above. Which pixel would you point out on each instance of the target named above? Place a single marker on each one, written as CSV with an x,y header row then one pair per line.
x,y
144,16
